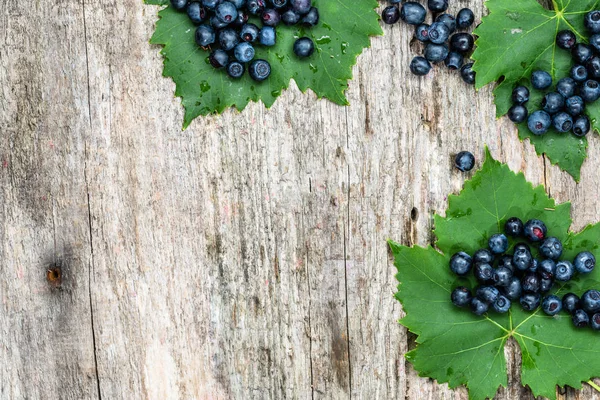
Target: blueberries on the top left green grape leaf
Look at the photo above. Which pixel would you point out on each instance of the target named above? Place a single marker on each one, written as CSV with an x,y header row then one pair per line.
x,y
224,28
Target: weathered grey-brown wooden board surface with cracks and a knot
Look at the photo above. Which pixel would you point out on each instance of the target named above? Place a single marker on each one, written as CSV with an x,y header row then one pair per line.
x,y
244,258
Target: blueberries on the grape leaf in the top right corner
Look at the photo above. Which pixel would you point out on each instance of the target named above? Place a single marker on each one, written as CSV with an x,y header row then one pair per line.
x,y
563,108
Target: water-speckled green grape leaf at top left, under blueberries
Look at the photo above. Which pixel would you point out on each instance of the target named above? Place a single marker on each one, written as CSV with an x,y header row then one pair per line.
x,y
343,32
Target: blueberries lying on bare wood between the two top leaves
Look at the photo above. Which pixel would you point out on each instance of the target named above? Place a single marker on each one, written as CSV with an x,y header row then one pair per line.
x,y
442,42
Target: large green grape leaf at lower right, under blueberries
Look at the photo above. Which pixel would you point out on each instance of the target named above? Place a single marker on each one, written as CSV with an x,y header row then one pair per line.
x,y
459,348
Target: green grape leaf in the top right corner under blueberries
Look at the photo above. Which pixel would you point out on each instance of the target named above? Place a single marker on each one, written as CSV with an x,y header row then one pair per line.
x,y
518,37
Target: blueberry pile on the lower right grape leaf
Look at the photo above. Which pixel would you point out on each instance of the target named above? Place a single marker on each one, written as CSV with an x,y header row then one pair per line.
x,y
504,278
